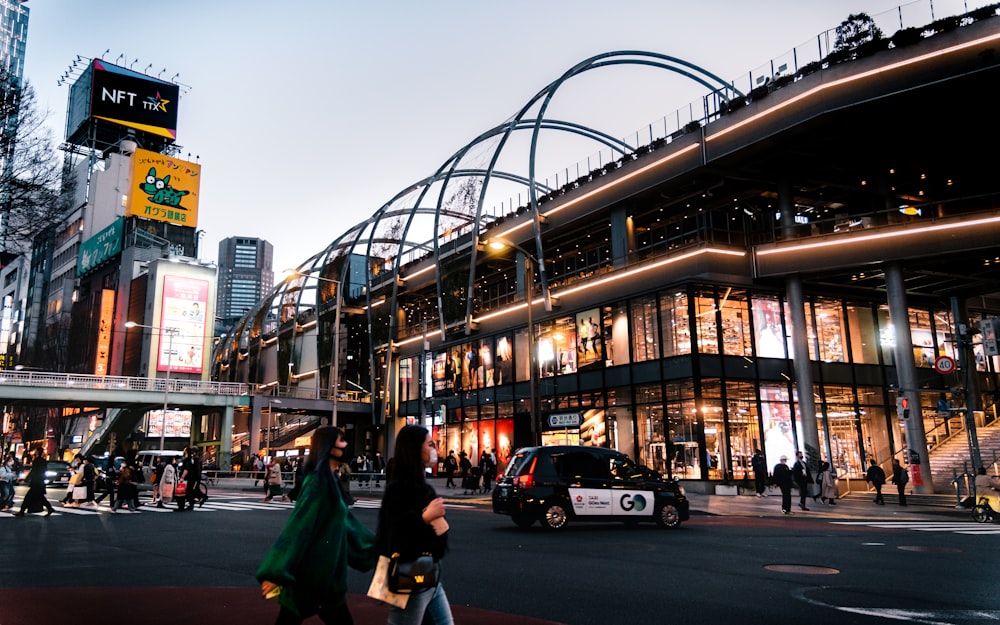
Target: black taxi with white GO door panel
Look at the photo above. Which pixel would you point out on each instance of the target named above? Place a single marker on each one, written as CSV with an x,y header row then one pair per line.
x,y
559,484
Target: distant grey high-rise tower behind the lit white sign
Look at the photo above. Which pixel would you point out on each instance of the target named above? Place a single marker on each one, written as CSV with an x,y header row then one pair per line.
x,y
245,276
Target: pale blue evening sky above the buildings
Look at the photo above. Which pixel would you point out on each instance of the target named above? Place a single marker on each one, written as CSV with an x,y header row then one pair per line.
x,y
307,117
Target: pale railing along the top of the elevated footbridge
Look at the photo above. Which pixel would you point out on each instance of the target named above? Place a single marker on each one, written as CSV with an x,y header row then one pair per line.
x,y
119,383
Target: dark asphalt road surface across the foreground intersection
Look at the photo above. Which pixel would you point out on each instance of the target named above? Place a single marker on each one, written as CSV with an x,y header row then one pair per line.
x,y
854,563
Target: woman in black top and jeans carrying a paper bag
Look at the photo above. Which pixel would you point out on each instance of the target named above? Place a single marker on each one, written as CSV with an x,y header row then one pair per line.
x,y
412,522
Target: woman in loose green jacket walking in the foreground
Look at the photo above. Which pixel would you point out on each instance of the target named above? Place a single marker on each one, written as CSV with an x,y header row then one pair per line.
x,y
306,567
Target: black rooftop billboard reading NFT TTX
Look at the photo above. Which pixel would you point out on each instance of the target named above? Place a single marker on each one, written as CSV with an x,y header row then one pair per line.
x,y
123,97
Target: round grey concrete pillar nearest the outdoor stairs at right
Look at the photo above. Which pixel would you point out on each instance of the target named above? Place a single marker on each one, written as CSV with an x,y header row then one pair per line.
x,y
906,372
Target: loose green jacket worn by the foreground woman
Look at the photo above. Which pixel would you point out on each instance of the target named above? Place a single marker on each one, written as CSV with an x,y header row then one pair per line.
x,y
309,559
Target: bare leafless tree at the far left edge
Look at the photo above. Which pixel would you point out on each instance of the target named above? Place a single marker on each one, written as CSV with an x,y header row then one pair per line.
x,y
33,195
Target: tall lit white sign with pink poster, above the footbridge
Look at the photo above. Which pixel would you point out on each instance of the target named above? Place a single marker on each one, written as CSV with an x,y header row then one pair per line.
x,y
182,322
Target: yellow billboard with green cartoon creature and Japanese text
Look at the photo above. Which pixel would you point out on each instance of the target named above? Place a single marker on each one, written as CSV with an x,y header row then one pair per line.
x,y
164,188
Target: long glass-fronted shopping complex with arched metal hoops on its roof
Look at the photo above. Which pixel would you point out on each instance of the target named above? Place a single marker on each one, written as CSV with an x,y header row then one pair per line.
x,y
808,261
